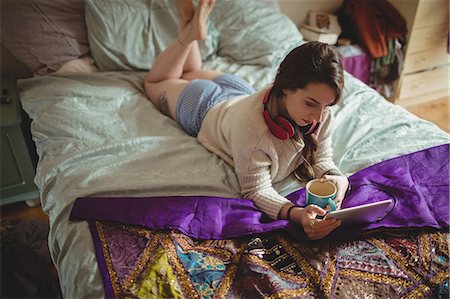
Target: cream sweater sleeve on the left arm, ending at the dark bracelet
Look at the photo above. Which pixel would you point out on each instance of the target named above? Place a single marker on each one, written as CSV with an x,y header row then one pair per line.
x,y
256,184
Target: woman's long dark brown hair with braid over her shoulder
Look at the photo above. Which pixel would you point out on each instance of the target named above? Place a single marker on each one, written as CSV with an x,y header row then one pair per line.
x,y
310,62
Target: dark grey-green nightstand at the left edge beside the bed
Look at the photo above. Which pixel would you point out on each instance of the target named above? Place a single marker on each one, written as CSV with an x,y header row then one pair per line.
x,y
17,171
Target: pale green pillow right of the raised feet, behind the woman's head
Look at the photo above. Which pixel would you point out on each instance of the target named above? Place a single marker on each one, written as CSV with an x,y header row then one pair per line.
x,y
253,32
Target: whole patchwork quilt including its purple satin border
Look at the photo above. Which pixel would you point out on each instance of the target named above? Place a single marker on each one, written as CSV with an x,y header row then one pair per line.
x,y
208,247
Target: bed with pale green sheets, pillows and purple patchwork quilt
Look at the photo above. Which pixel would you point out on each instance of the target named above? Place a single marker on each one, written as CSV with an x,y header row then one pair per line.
x,y
138,208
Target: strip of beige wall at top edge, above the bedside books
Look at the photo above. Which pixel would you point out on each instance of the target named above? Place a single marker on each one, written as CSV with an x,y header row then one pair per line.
x,y
297,10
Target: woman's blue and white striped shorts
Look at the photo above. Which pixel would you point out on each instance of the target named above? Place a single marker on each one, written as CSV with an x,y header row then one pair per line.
x,y
200,95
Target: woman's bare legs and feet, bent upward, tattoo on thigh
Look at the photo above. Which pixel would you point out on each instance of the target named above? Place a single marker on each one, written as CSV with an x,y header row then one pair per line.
x,y
176,65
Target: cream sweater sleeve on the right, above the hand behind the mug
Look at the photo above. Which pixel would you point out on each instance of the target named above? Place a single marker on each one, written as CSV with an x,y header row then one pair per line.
x,y
324,160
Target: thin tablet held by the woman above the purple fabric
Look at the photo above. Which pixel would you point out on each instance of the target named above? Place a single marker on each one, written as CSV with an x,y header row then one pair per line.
x,y
367,213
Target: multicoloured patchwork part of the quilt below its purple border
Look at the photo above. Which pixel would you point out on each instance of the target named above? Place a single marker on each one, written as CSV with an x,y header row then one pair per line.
x,y
139,262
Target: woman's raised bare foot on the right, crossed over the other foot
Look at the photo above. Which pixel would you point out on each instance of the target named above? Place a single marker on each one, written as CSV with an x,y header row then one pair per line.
x,y
196,28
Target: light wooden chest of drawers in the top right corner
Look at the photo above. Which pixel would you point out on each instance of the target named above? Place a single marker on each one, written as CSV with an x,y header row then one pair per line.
x,y
425,74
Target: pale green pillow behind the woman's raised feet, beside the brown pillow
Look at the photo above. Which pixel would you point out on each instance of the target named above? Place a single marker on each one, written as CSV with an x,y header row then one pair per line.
x,y
129,34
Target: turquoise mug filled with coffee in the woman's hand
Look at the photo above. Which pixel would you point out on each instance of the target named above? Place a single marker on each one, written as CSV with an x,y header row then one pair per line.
x,y
321,194
